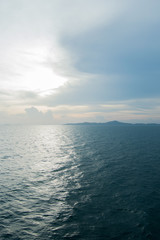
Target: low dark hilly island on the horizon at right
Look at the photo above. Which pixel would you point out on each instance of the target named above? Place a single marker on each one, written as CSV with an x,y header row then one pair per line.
x,y
112,123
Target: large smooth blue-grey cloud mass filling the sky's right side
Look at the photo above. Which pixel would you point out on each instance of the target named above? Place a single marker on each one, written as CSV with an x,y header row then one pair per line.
x,y
124,56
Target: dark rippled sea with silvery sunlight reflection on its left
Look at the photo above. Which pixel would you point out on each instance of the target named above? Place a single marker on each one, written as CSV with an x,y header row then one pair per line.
x,y
79,182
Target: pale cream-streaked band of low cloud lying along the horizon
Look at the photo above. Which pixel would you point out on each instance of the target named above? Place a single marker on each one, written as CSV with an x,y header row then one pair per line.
x,y
140,110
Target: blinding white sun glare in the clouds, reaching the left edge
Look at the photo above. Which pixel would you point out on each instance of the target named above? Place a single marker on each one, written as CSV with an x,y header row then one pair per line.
x,y
32,69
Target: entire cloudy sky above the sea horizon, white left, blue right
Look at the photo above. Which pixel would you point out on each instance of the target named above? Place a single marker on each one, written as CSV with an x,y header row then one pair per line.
x,y
68,61
